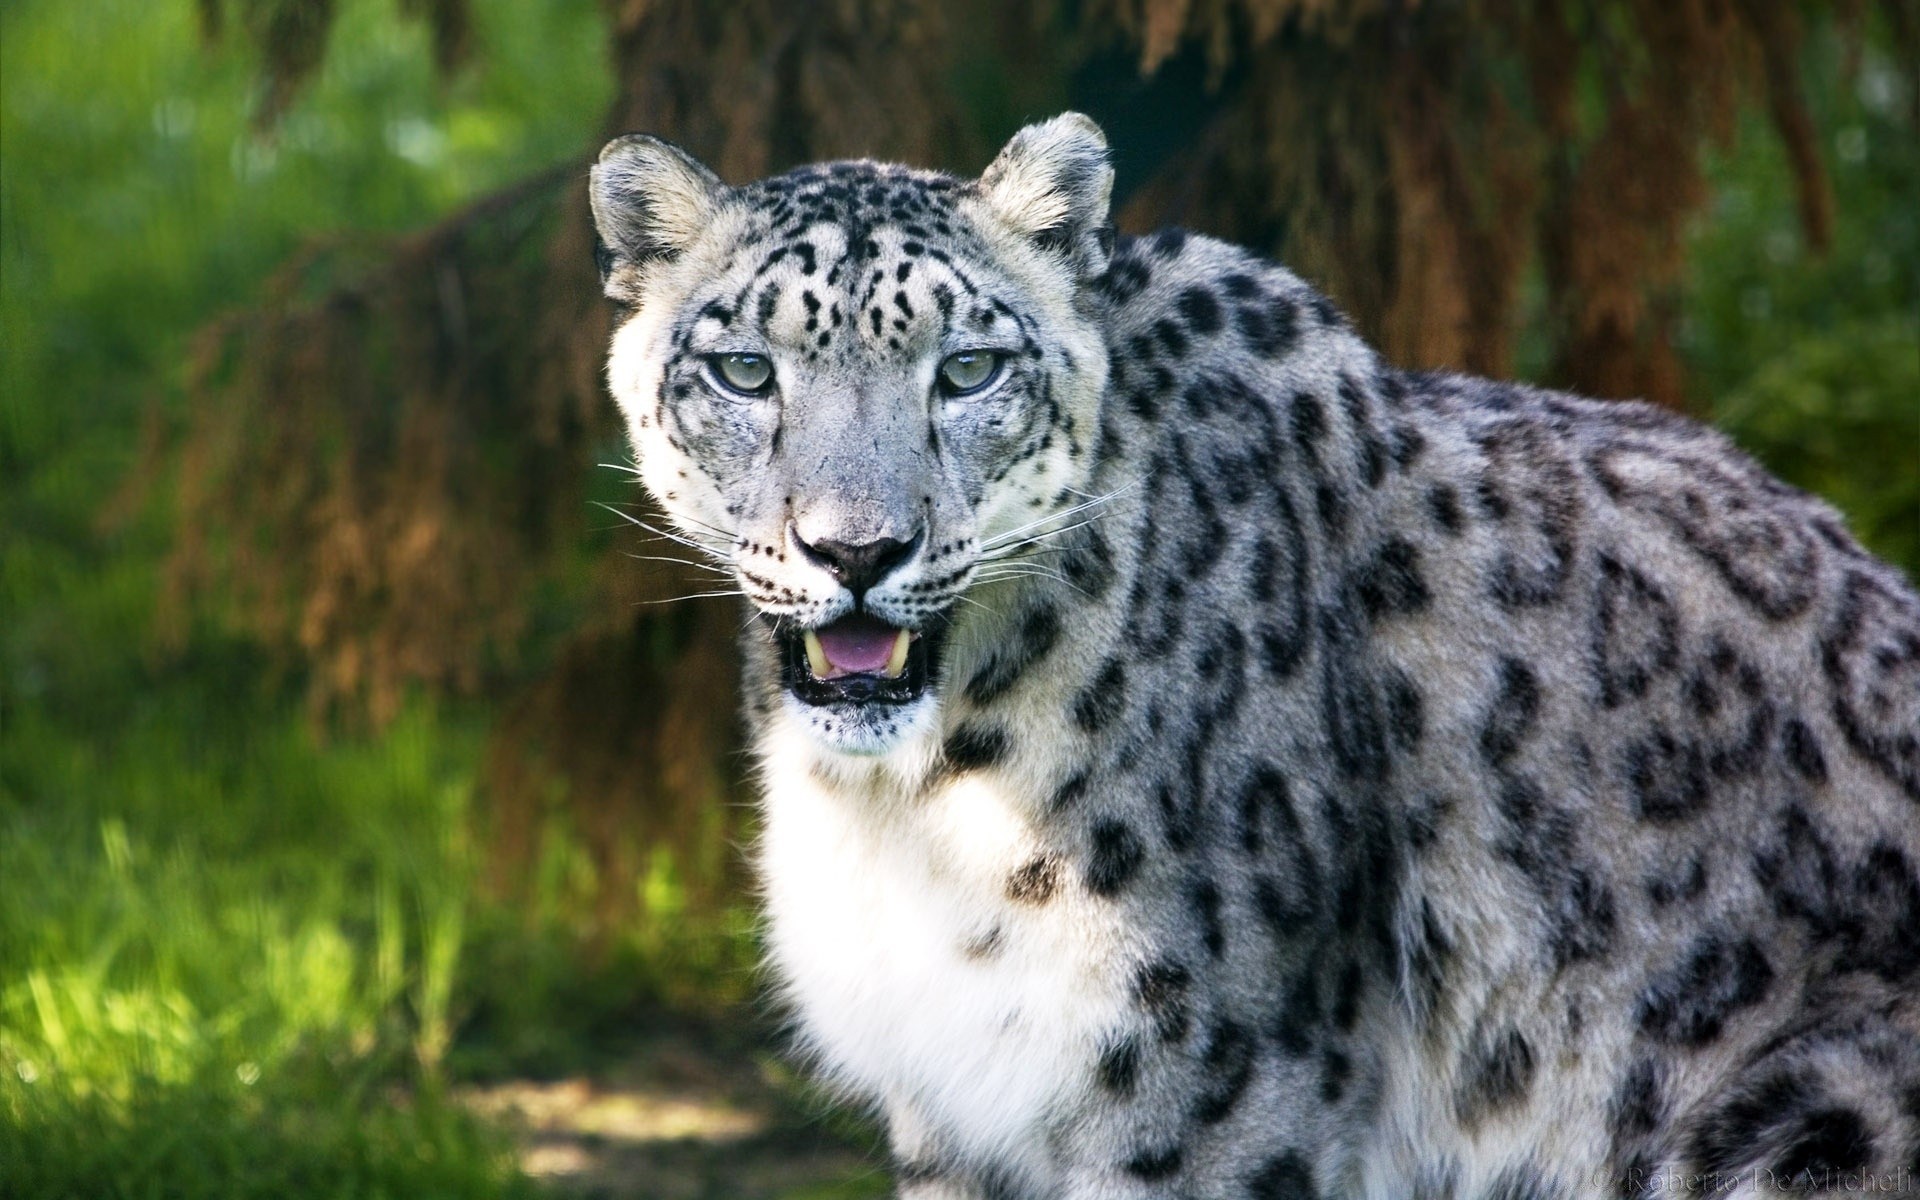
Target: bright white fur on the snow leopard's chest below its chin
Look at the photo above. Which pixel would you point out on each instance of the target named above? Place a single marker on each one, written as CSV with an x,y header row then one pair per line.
x,y
971,1015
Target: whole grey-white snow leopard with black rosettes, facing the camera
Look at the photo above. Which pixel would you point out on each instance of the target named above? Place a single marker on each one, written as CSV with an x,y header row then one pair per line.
x,y
1201,759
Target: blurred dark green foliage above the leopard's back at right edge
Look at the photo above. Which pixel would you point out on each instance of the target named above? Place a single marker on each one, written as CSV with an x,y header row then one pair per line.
x,y
1813,360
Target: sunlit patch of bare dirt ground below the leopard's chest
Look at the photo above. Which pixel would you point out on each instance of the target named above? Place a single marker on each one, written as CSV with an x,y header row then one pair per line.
x,y
684,1115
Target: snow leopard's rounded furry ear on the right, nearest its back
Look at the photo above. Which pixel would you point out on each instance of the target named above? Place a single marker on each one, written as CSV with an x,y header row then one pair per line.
x,y
1053,183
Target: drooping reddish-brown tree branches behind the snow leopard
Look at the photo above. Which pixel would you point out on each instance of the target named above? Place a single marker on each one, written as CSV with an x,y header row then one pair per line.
x,y
393,454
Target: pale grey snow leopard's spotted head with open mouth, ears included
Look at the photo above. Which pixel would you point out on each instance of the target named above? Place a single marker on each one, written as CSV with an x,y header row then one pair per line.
x,y
863,391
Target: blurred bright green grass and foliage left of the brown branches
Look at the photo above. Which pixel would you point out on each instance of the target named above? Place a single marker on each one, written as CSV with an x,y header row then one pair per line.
x,y
222,944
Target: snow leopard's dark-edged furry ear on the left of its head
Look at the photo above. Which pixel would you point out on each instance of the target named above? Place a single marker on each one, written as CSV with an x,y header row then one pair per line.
x,y
650,201
